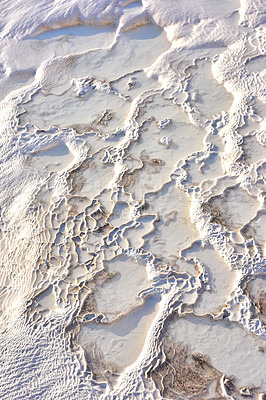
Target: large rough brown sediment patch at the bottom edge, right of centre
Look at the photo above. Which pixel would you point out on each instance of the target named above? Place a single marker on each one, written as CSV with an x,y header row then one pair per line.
x,y
184,375
